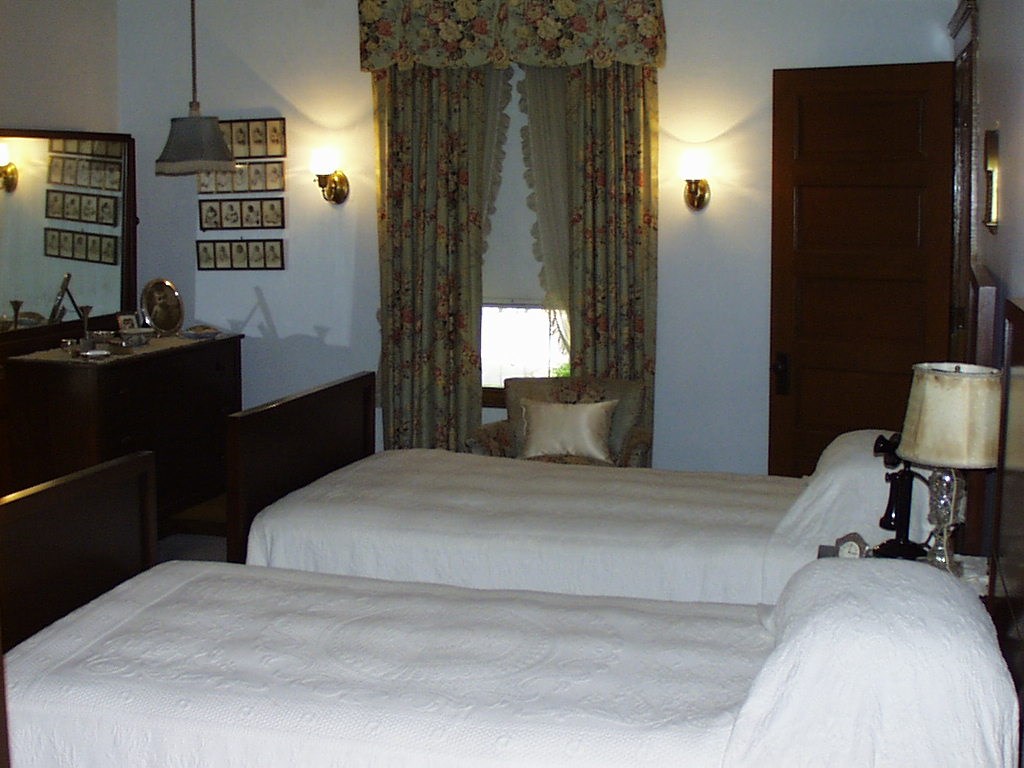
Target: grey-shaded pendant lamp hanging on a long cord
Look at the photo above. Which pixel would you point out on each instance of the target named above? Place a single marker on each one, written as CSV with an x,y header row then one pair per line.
x,y
195,144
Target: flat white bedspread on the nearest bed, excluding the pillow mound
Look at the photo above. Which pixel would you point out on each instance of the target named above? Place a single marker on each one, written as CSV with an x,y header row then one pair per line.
x,y
237,667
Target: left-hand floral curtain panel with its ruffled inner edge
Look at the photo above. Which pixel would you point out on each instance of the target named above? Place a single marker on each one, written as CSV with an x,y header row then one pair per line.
x,y
440,134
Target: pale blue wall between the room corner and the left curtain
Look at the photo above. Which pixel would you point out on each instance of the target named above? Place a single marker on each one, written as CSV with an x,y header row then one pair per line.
x,y
316,321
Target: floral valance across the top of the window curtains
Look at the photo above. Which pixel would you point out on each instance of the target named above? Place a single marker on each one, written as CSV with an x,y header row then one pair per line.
x,y
536,33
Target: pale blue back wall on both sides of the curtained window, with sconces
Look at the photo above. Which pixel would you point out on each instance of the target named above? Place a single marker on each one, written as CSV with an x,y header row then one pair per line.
x,y
317,320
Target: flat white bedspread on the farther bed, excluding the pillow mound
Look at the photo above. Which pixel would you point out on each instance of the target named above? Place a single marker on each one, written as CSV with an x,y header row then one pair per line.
x,y
430,516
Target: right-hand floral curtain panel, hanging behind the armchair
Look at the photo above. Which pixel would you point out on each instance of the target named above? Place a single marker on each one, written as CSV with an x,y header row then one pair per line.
x,y
614,223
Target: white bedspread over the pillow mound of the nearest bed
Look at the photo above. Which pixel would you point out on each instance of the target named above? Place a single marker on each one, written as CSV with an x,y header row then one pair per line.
x,y
879,663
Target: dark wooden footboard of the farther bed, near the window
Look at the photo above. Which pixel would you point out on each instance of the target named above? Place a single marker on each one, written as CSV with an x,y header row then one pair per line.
x,y
285,445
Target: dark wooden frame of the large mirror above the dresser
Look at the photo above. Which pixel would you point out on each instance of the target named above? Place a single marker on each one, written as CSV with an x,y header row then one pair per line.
x,y
40,337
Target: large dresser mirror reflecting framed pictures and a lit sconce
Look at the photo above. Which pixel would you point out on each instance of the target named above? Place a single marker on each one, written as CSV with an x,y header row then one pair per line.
x,y
72,212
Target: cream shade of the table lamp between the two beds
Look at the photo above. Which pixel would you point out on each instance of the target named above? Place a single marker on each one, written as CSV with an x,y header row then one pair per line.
x,y
953,416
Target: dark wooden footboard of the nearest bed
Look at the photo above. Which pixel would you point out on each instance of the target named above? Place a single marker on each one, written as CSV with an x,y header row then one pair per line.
x,y
66,542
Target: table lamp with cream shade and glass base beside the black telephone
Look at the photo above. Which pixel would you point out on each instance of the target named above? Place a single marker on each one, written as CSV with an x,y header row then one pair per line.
x,y
952,424
